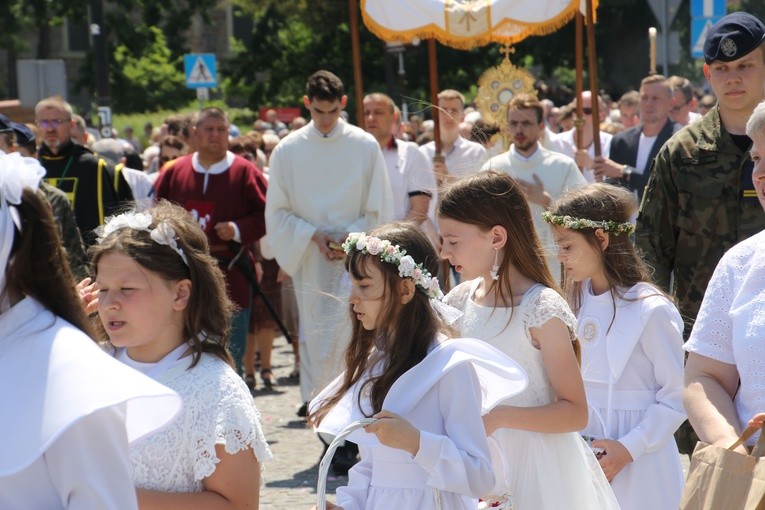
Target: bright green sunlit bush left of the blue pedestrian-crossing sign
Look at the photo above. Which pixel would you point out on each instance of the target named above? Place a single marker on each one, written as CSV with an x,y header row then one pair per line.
x,y
151,78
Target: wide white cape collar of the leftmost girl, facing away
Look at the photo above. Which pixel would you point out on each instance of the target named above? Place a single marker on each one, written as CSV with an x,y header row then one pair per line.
x,y
52,374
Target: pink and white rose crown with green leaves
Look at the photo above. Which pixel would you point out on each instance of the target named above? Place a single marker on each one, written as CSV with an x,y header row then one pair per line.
x,y
393,254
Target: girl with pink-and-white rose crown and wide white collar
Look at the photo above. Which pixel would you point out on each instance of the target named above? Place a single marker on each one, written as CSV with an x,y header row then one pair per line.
x,y
427,449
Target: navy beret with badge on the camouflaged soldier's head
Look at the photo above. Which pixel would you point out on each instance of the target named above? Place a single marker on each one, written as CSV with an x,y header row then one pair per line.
x,y
734,36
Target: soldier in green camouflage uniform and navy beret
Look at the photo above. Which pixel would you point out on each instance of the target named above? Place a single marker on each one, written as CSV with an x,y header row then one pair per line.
x,y
700,199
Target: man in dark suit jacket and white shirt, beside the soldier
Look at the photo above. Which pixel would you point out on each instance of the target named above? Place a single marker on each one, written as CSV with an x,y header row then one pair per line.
x,y
633,150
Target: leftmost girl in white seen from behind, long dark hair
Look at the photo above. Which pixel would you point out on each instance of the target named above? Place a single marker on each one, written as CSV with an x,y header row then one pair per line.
x,y
68,408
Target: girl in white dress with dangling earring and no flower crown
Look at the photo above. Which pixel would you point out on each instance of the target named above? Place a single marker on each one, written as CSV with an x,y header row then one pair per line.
x,y
512,302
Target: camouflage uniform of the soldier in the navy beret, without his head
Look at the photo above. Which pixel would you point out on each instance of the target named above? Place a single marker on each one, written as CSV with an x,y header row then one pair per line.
x,y
692,211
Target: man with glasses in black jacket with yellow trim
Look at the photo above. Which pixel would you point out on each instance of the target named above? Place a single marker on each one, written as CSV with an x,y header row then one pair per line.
x,y
85,178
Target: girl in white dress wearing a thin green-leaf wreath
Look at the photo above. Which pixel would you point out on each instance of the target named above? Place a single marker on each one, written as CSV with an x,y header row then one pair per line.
x,y
632,346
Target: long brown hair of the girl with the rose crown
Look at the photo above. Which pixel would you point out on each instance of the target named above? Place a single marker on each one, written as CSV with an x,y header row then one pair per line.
x,y
404,333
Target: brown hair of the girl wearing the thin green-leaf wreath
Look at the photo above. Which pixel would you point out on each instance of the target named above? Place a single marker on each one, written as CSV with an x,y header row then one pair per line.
x,y
623,267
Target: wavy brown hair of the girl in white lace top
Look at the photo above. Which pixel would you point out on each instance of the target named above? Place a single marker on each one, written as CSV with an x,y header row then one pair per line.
x,y
208,314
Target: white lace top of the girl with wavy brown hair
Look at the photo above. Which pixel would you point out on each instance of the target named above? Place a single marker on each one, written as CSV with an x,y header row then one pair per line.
x,y
218,410
